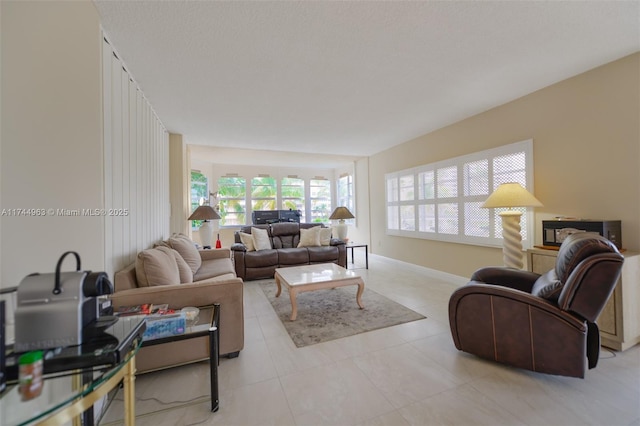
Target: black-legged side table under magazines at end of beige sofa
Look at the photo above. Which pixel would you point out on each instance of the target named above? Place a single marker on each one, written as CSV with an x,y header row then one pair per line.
x,y
206,324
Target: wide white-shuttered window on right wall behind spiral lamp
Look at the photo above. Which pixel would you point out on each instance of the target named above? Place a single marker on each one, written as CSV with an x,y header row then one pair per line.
x,y
442,201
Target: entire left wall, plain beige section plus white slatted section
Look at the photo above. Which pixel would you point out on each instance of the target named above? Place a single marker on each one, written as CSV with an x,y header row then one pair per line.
x,y
57,157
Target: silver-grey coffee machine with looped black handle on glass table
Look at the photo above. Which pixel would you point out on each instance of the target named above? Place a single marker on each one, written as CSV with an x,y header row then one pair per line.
x,y
58,309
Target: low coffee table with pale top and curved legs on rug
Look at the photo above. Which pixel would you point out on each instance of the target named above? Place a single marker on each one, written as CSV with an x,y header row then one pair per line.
x,y
299,279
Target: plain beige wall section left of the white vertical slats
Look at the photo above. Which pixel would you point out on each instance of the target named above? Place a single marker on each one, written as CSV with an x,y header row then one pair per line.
x,y
51,136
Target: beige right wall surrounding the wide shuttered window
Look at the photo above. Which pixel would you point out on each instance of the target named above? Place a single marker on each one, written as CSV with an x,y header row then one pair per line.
x,y
586,133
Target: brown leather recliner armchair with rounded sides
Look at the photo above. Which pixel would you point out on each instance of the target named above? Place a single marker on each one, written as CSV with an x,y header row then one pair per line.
x,y
544,323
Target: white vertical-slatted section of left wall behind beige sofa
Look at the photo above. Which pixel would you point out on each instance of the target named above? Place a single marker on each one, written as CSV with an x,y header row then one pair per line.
x,y
136,167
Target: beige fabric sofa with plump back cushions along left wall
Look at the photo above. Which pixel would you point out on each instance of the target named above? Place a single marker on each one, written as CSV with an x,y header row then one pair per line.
x,y
179,274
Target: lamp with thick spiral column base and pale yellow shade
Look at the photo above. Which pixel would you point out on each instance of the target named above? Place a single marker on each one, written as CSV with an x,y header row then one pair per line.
x,y
511,195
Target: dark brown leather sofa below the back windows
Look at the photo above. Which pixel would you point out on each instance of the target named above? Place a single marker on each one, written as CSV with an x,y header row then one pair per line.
x,y
284,239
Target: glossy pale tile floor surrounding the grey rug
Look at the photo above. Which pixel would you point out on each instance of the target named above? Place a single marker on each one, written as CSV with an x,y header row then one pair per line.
x,y
409,374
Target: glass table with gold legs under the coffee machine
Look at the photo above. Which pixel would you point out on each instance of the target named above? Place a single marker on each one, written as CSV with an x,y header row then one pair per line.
x,y
77,377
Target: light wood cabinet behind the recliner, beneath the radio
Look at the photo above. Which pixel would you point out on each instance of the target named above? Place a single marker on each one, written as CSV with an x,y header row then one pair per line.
x,y
619,321
